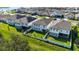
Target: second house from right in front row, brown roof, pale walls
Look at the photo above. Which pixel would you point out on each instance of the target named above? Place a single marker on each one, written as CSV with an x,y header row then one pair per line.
x,y
41,24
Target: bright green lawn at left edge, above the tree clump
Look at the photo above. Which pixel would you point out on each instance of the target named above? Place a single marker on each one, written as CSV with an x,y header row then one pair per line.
x,y
5,31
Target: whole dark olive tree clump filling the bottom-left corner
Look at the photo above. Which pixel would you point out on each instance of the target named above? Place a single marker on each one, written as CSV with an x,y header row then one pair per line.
x,y
17,43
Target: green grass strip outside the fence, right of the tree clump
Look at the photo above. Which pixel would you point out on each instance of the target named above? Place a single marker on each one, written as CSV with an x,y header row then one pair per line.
x,y
36,45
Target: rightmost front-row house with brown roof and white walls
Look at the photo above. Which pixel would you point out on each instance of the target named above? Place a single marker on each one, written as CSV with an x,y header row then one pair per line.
x,y
60,28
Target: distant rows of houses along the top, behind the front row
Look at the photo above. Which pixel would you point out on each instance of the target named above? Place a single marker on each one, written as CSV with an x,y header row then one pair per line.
x,y
56,12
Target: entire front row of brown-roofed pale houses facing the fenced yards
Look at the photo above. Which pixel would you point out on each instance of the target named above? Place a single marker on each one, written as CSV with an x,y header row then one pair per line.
x,y
57,28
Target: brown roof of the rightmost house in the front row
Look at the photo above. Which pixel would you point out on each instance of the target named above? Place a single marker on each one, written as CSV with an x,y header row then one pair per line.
x,y
61,24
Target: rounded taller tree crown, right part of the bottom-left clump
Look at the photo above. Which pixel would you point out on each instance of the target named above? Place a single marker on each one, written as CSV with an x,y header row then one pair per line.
x,y
18,44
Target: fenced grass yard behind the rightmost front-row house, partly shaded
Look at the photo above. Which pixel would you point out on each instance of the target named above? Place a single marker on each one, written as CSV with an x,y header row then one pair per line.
x,y
59,40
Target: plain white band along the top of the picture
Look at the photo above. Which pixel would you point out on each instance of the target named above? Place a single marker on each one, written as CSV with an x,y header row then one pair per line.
x,y
31,3
